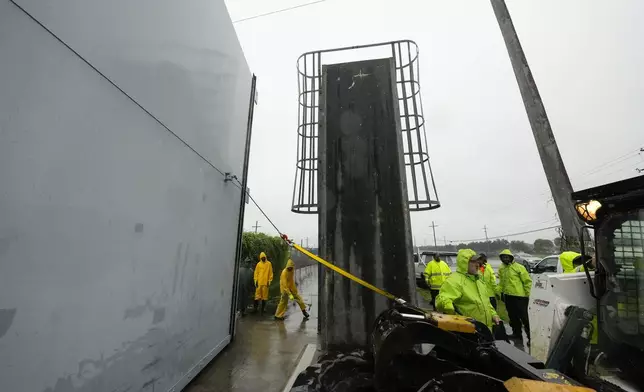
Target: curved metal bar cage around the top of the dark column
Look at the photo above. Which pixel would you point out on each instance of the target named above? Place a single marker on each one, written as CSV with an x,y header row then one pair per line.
x,y
416,154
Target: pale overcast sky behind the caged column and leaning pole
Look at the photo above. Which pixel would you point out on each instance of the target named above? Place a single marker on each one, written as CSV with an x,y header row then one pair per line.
x,y
587,58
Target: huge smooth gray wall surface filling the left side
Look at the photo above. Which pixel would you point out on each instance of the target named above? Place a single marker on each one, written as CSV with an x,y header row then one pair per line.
x,y
117,236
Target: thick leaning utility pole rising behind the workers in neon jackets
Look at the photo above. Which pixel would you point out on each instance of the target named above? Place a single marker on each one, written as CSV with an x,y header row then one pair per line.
x,y
553,166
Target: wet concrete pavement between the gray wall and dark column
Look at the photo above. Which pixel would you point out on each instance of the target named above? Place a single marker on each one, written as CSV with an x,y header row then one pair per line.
x,y
264,352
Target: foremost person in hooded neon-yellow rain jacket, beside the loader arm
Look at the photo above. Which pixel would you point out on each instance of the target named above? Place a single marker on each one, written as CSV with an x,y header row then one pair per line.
x,y
465,293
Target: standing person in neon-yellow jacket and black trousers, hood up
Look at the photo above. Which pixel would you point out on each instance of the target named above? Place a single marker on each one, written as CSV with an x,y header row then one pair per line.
x,y
514,286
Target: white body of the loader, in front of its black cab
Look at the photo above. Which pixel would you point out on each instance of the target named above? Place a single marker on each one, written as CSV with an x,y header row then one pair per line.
x,y
550,296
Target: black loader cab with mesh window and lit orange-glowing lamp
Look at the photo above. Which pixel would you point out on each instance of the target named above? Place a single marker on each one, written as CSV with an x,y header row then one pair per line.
x,y
616,214
